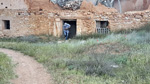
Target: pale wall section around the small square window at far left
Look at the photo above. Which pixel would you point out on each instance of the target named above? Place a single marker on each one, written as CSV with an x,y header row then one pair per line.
x,y
18,23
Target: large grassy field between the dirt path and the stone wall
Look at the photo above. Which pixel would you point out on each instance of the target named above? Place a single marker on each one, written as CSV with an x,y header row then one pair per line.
x,y
116,59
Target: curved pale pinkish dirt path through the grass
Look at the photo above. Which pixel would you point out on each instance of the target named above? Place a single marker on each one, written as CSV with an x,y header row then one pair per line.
x,y
28,70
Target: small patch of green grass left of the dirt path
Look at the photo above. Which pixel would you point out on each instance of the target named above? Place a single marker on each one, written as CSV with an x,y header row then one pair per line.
x,y
6,69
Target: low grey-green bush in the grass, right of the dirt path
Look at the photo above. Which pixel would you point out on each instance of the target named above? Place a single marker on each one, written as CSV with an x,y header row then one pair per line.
x,y
96,64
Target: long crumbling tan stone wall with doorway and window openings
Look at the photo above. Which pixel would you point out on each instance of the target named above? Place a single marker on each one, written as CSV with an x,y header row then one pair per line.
x,y
43,21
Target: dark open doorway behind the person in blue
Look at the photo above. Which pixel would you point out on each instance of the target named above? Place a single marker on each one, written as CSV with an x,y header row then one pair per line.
x,y
72,30
